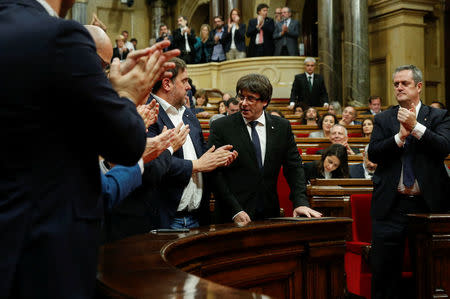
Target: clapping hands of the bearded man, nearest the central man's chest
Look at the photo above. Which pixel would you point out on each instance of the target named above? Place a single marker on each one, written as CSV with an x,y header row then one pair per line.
x,y
213,159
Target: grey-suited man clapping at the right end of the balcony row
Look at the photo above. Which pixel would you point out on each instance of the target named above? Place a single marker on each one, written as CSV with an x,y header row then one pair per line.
x,y
286,35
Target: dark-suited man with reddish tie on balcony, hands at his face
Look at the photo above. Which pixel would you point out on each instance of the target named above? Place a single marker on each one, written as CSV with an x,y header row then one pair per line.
x,y
260,31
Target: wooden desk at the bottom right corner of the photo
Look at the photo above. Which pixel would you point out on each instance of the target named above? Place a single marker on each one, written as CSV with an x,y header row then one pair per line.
x,y
430,242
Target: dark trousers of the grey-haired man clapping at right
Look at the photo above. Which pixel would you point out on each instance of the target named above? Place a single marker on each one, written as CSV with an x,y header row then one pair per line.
x,y
388,248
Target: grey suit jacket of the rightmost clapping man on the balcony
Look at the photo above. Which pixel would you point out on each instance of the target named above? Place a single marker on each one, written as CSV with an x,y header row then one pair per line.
x,y
290,38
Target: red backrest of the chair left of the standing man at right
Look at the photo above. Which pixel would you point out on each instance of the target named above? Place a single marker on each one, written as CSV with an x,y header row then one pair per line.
x,y
361,226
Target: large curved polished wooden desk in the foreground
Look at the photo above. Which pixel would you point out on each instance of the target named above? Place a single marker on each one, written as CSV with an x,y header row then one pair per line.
x,y
283,259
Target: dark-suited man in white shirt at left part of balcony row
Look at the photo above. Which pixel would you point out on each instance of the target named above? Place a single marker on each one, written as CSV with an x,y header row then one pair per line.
x,y
184,40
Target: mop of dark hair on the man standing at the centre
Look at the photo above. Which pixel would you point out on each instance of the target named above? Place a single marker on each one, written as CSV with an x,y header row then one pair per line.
x,y
256,83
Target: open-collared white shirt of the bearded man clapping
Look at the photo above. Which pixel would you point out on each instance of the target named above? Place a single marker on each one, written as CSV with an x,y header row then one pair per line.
x,y
192,193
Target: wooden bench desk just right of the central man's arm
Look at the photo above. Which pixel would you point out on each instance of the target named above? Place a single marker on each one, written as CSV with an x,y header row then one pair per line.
x,y
332,197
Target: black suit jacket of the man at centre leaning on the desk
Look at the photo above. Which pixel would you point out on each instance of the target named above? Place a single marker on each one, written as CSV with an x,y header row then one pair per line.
x,y
242,185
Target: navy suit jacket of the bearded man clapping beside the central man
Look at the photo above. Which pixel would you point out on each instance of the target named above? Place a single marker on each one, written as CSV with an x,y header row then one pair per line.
x,y
167,195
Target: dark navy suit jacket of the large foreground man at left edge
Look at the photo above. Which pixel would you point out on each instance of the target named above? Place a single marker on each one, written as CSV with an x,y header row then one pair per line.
x,y
56,117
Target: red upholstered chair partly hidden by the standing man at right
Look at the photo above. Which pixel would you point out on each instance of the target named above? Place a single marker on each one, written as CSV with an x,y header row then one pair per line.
x,y
356,266
